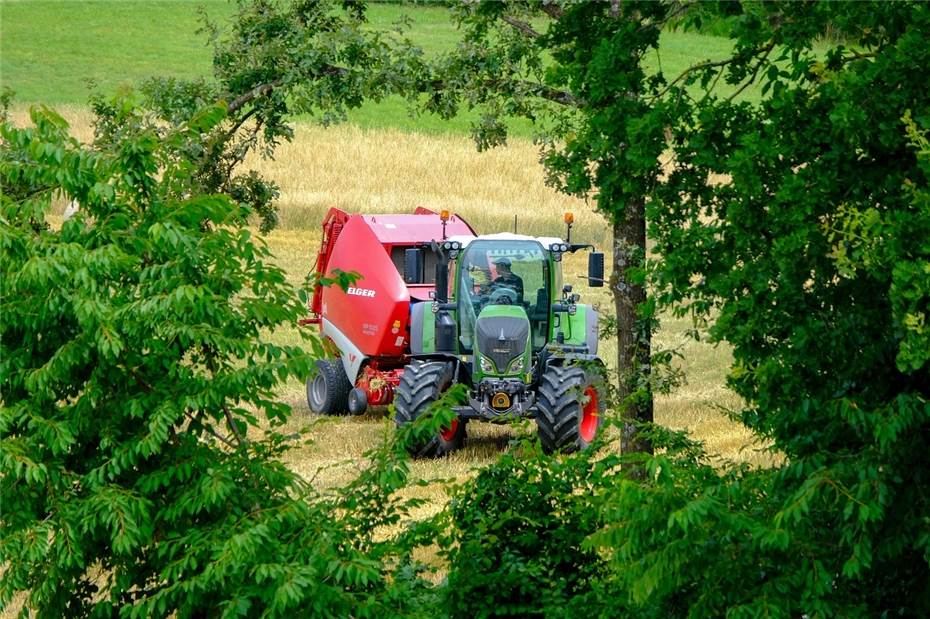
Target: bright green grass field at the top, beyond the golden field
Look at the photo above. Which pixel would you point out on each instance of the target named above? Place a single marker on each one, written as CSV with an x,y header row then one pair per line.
x,y
52,51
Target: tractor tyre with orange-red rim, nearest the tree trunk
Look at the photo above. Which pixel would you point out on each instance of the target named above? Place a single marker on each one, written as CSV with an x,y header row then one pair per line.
x,y
570,408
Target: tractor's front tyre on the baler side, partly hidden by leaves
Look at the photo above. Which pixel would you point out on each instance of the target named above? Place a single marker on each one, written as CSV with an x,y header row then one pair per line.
x,y
420,386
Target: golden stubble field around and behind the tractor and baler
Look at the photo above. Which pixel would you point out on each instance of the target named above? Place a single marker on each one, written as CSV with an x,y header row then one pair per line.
x,y
390,171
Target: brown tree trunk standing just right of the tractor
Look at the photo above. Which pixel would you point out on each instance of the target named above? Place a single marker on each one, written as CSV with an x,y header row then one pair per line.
x,y
633,335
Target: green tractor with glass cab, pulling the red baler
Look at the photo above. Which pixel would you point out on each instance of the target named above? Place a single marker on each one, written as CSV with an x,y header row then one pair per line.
x,y
513,334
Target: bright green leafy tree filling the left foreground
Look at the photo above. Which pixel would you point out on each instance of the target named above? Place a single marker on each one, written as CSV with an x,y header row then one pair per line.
x,y
138,442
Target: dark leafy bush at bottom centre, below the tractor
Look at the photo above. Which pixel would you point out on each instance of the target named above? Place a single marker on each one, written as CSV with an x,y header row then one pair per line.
x,y
516,535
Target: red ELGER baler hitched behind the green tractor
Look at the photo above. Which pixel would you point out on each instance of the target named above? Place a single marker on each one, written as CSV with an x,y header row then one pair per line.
x,y
369,322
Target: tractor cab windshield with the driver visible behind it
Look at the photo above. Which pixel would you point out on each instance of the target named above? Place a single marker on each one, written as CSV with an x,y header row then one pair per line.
x,y
503,272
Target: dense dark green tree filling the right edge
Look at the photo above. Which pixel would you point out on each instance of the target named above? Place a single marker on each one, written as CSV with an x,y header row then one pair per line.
x,y
811,259
